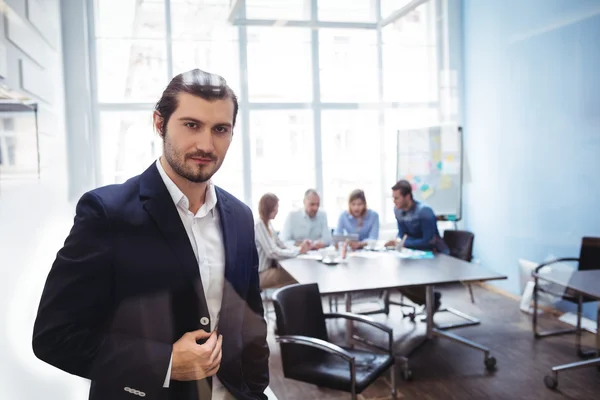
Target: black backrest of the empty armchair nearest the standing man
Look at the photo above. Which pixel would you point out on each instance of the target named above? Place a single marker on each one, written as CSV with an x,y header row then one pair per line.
x,y
299,311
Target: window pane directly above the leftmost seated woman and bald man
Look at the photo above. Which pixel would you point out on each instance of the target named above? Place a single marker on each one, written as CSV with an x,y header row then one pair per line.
x,y
283,157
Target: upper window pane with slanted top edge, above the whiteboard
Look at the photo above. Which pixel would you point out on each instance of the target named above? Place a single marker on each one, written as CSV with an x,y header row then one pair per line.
x,y
410,61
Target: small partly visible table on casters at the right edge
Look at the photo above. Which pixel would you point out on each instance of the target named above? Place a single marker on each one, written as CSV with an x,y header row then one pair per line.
x,y
583,283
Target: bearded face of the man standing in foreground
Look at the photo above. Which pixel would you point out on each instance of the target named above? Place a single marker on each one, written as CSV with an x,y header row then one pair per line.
x,y
197,136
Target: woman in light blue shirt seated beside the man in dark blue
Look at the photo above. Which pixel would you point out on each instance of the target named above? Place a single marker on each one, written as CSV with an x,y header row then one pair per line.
x,y
358,220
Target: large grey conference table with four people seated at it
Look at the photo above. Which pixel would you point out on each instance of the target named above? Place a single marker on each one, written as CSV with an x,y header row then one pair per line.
x,y
376,271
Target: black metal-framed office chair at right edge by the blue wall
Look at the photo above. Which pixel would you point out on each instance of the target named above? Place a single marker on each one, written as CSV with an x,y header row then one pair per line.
x,y
589,258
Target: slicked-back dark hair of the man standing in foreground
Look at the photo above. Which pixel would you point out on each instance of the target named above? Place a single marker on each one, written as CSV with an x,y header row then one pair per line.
x,y
198,83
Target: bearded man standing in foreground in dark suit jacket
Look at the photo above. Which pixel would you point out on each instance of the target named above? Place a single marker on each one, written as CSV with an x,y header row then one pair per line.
x,y
155,293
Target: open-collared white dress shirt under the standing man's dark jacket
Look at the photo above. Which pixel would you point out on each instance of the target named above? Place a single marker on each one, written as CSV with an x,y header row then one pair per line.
x,y
206,239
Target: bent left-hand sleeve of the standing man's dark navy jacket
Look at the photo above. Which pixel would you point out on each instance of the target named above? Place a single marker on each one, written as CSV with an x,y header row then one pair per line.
x,y
72,331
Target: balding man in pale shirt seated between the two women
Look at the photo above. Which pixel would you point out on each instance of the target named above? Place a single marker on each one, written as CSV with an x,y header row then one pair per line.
x,y
308,224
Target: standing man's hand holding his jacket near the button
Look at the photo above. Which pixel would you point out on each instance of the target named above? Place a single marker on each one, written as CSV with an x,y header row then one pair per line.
x,y
192,361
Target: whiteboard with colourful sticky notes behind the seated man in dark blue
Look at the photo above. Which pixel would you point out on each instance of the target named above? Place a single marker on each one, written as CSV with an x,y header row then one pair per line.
x,y
431,159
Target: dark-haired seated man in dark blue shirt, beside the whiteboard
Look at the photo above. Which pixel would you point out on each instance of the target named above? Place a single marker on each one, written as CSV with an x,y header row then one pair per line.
x,y
417,226
